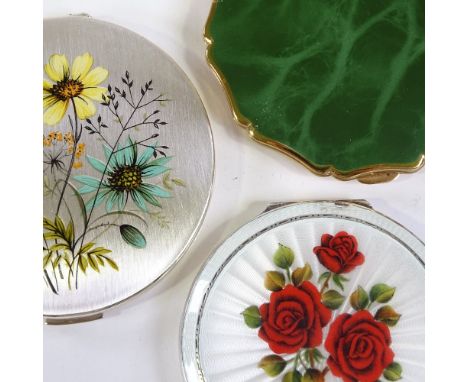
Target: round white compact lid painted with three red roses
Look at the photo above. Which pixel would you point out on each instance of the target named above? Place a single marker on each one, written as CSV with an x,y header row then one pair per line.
x,y
328,291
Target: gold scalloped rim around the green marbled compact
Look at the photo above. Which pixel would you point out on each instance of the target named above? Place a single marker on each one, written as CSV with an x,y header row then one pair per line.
x,y
378,173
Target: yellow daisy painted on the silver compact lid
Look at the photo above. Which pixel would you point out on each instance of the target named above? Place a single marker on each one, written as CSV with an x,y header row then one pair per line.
x,y
79,85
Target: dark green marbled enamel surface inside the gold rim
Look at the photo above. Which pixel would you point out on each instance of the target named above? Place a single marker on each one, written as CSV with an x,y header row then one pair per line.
x,y
340,82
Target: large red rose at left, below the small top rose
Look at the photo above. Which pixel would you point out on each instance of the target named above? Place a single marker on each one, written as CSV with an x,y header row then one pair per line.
x,y
293,319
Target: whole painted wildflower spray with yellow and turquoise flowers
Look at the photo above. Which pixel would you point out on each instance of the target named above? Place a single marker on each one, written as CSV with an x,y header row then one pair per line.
x,y
71,249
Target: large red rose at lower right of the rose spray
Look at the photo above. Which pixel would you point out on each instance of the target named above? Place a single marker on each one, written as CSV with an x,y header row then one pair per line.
x,y
359,347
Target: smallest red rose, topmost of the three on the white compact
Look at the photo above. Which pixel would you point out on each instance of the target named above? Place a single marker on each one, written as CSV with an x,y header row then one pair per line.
x,y
339,253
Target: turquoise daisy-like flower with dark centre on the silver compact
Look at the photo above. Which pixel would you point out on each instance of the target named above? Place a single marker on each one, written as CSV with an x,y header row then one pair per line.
x,y
125,176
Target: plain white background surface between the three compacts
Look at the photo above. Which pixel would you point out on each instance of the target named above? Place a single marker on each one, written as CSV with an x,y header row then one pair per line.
x,y
139,341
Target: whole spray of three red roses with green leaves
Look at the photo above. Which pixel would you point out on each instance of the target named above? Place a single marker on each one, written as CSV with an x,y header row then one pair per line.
x,y
292,322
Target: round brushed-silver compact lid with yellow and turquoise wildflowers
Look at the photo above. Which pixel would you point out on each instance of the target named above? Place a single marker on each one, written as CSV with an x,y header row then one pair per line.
x,y
128,165
